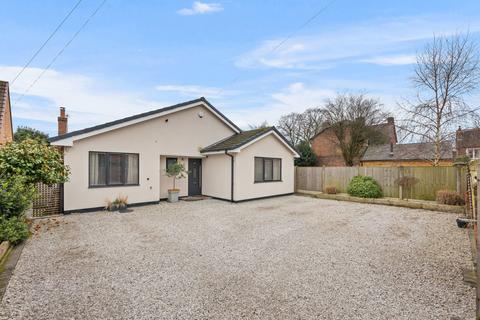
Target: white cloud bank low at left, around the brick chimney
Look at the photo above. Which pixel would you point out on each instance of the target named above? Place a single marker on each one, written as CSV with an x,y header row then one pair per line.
x,y
86,101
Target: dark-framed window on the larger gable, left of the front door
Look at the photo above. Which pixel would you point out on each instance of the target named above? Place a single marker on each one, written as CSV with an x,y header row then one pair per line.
x,y
113,169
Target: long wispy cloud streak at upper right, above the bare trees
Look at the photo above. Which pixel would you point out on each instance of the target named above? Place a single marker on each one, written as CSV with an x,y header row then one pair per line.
x,y
362,41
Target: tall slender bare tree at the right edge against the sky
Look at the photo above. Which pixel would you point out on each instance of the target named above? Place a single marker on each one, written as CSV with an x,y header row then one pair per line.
x,y
446,72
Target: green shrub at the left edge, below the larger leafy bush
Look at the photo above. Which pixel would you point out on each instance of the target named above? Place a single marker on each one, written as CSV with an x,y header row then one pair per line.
x,y
16,195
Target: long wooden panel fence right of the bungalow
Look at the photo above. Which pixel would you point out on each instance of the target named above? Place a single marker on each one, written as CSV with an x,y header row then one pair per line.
x,y
430,179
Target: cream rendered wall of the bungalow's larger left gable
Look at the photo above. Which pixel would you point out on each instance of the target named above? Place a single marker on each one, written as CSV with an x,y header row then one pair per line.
x,y
184,134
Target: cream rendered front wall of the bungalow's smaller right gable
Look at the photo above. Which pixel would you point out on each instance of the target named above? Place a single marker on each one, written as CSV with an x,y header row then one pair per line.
x,y
271,147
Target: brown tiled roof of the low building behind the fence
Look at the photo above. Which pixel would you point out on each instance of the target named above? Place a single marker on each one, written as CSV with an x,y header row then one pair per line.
x,y
409,151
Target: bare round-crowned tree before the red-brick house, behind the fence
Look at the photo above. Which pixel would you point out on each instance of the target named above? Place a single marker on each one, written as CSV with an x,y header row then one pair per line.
x,y
352,118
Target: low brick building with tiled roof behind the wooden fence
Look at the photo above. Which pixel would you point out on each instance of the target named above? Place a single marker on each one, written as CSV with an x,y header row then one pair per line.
x,y
409,154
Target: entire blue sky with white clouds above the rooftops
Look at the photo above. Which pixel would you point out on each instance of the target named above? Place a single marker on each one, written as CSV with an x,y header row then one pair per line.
x,y
136,56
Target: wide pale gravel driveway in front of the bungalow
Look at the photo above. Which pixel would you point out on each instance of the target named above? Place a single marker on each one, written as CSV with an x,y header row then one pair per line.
x,y
282,258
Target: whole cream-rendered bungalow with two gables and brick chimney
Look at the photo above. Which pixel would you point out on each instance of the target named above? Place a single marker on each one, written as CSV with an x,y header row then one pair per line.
x,y
129,157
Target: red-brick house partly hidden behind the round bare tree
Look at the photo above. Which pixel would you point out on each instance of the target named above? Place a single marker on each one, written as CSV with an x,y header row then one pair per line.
x,y
326,147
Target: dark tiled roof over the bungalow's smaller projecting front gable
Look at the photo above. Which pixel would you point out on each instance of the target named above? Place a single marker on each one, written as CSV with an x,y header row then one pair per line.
x,y
237,140
